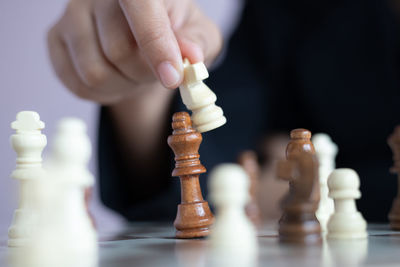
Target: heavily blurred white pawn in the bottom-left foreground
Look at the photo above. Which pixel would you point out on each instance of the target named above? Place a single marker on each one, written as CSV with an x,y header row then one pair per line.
x,y
49,246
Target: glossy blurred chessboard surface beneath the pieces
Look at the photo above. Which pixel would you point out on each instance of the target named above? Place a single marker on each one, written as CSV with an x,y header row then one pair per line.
x,y
150,244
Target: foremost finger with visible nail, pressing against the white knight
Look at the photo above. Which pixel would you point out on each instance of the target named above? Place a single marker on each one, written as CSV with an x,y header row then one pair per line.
x,y
151,27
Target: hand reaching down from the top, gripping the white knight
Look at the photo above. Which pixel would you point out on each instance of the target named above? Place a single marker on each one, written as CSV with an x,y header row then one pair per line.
x,y
106,51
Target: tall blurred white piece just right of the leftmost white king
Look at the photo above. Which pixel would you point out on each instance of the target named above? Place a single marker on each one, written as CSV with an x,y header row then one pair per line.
x,y
67,166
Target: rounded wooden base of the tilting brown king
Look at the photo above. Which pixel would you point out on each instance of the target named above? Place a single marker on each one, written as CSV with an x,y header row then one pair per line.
x,y
193,220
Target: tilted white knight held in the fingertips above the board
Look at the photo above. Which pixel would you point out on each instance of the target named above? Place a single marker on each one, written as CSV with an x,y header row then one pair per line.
x,y
199,98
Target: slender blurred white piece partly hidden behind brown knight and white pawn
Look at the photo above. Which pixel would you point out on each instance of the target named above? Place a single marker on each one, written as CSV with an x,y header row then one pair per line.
x,y
326,152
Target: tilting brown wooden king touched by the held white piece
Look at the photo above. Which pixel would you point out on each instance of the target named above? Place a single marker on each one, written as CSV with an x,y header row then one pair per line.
x,y
194,216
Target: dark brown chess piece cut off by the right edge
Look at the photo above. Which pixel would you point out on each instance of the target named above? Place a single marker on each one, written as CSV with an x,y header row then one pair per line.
x,y
394,143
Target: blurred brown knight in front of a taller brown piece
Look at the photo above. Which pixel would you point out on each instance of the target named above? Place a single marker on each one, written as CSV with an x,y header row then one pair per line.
x,y
298,223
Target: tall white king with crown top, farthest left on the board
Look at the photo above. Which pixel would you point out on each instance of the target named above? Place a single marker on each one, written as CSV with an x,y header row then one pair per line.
x,y
28,143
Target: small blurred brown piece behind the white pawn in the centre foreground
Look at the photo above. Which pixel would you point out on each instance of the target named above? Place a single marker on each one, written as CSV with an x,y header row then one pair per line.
x,y
249,161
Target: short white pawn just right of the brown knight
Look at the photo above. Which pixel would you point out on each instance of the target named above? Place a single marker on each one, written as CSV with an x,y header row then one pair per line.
x,y
346,222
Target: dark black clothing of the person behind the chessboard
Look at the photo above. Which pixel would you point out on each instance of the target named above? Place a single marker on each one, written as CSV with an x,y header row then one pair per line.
x,y
329,66
